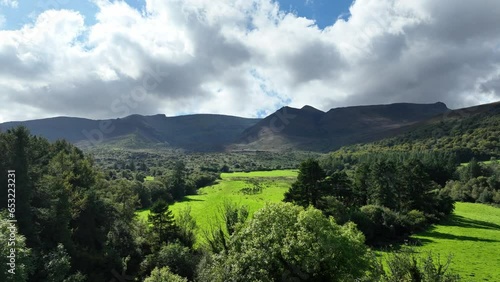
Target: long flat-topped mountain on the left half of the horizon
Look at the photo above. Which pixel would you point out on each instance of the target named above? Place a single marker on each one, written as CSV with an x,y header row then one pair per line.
x,y
201,132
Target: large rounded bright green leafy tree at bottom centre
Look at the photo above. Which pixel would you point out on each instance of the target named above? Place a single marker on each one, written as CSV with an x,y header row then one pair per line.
x,y
284,242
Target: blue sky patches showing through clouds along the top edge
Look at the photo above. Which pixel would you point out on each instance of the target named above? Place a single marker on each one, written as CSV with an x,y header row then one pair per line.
x,y
324,12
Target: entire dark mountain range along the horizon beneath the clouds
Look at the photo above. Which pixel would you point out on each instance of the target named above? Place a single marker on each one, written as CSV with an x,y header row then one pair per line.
x,y
287,129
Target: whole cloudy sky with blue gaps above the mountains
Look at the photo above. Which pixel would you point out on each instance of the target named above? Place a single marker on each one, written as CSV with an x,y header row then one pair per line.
x,y
103,59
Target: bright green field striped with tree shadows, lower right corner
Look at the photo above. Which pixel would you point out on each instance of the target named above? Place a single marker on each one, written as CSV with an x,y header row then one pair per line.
x,y
472,236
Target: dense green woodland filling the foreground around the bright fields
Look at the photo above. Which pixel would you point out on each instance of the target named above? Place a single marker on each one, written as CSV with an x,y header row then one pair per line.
x,y
77,221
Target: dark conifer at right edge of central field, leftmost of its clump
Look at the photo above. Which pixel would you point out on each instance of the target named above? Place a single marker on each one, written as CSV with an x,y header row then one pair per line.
x,y
309,187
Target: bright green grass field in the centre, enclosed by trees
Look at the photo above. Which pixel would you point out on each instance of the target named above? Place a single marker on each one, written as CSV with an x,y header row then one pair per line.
x,y
205,205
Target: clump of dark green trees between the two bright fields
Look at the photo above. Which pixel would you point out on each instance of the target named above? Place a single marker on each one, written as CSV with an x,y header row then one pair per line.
x,y
388,198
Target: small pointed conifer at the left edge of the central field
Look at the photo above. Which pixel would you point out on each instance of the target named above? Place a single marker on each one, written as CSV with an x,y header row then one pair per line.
x,y
162,219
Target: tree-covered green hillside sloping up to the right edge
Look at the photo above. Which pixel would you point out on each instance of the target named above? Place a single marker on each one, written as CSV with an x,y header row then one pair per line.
x,y
468,132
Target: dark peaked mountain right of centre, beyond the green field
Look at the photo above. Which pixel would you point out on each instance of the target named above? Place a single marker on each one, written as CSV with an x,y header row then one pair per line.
x,y
311,129
